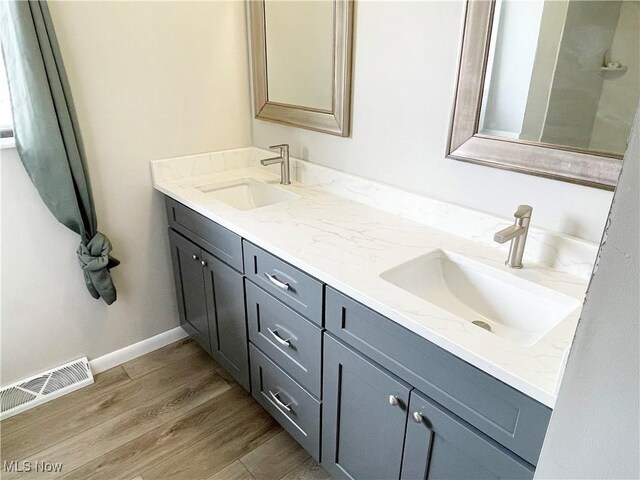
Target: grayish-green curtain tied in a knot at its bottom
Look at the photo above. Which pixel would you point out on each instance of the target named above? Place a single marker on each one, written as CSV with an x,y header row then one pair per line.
x,y
47,134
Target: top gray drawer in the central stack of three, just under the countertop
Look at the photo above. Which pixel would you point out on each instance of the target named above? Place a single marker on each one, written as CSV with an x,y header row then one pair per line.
x,y
293,287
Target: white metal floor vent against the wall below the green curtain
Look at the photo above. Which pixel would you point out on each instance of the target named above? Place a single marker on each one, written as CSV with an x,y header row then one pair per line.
x,y
43,387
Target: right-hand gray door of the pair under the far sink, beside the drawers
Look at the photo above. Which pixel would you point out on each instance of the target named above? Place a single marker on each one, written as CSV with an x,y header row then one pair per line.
x,y
227,319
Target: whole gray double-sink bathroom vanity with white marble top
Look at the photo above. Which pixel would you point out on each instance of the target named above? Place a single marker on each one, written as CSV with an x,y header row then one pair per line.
x,y
365,394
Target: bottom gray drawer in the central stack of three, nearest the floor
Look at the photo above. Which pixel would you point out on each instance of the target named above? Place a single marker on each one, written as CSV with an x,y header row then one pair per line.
x,y
296,410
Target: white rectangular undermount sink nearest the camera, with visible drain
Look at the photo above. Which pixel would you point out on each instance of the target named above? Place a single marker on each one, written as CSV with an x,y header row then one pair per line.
x,y
506,305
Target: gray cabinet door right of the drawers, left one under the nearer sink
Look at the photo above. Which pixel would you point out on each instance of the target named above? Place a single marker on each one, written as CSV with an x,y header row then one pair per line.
x,y
364,416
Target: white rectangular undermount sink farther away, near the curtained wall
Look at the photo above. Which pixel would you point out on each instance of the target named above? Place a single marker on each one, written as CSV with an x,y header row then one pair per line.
x,y
246,193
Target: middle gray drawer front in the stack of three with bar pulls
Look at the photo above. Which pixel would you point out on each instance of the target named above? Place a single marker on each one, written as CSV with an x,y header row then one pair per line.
x,y
294,343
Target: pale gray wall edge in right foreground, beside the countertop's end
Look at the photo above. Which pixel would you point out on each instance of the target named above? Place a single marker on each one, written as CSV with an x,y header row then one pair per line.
x,y
594,429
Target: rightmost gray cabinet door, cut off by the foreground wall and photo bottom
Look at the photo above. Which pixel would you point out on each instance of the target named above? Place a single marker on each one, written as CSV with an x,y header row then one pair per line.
x,y
440,445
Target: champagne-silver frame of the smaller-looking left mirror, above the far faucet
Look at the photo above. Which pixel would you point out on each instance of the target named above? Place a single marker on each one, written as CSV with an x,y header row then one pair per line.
x,y
336,121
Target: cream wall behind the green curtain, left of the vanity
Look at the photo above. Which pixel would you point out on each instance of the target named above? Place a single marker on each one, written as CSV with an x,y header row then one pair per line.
x,y
150,80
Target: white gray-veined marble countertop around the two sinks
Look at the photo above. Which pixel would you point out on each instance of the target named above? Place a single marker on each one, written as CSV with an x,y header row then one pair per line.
x,y
347,245
